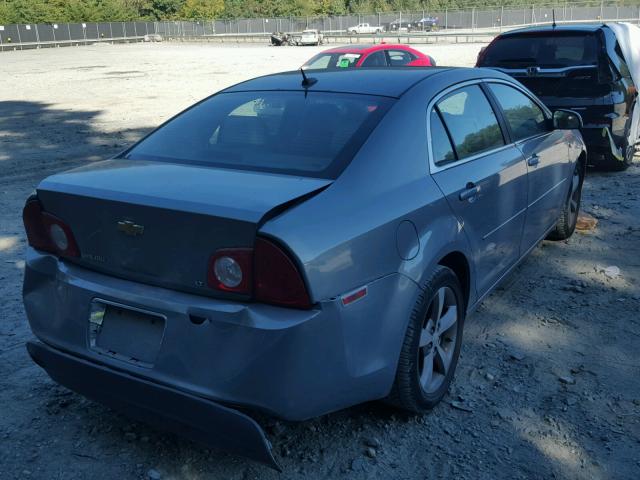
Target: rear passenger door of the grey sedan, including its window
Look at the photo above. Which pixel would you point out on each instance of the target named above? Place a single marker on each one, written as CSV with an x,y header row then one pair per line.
x,y
482,175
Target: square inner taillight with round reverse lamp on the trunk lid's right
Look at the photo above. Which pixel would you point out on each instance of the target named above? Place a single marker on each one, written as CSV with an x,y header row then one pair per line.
x,y
230,270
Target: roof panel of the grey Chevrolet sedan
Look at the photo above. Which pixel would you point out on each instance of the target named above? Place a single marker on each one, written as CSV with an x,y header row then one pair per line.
x,y
390,82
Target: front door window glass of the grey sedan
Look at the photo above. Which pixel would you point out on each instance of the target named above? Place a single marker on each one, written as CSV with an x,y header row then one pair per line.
x,y
525,118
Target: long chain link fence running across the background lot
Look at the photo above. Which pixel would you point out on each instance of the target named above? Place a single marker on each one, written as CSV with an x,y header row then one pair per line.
x,y
476,19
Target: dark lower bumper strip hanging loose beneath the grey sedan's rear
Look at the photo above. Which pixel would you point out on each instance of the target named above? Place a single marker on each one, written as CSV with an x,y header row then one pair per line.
x,y
196,418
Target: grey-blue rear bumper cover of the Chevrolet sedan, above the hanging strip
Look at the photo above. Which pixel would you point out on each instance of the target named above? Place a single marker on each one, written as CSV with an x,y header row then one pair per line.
x,y
292,364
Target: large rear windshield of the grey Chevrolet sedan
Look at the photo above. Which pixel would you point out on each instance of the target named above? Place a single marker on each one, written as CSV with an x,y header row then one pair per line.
x,y
313,134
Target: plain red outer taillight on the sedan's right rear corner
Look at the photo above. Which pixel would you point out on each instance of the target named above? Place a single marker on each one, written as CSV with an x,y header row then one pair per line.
x,y
276,278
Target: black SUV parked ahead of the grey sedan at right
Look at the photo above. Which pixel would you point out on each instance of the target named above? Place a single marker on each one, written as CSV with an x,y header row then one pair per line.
x,y
580,67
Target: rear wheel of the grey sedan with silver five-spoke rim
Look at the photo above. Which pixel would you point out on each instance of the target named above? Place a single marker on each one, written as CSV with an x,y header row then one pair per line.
x,y
415,388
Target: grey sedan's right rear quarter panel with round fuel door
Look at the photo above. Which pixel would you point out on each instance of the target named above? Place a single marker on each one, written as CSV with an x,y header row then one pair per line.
x,y
346,236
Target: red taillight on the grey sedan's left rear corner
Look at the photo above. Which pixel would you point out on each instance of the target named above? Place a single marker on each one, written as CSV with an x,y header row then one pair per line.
x,y
47,232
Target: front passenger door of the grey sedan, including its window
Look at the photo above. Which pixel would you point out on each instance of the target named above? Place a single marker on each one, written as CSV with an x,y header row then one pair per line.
x,y
546,154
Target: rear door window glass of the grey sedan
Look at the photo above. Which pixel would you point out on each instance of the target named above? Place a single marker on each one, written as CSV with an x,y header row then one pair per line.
x,y
471,121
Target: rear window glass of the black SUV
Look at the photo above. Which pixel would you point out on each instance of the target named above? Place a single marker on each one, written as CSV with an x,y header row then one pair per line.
x,y
545,51
